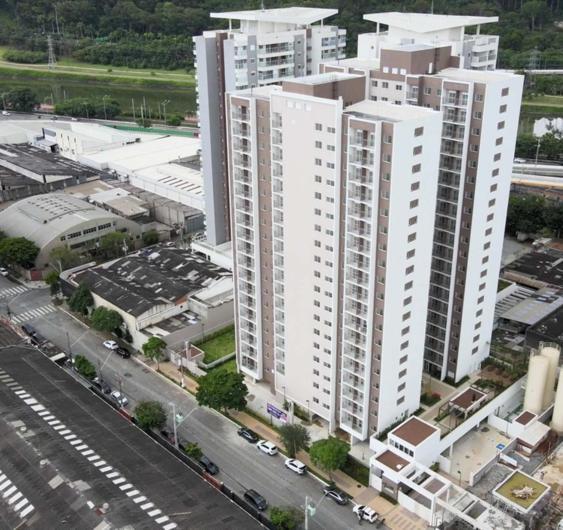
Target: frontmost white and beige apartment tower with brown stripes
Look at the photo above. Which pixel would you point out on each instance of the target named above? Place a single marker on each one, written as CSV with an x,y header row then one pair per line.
x,y
333,200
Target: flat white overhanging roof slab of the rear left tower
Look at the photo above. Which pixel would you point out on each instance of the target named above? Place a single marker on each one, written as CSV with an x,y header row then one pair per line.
x,y
282,15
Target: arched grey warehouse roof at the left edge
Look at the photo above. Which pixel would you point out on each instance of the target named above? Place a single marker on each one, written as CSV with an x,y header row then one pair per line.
x,y
42,218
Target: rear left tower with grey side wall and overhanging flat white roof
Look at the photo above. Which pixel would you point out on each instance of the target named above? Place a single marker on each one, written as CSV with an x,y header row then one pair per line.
x,y
268,47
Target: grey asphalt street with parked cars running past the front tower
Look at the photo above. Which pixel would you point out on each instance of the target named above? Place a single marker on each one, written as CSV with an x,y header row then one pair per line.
x,y
242,465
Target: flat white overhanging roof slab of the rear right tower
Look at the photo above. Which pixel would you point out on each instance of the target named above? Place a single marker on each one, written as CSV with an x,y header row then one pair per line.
x,y
425,22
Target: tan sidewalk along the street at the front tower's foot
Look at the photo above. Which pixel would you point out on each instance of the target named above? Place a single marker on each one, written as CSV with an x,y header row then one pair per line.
x,y
343,481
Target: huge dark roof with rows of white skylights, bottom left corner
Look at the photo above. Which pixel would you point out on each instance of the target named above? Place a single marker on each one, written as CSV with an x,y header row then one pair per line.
x,y
108,470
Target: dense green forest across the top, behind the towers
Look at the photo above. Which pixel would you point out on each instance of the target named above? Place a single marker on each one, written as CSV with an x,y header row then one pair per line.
x,y
156,33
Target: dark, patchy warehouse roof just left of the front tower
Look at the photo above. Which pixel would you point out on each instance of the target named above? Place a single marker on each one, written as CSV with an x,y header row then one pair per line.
x,y
139,282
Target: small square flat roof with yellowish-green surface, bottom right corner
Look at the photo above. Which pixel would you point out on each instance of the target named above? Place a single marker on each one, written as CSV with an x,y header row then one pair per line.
x,y
521,492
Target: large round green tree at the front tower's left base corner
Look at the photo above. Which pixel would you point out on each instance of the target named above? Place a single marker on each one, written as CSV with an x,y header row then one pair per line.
x,y
222,390
